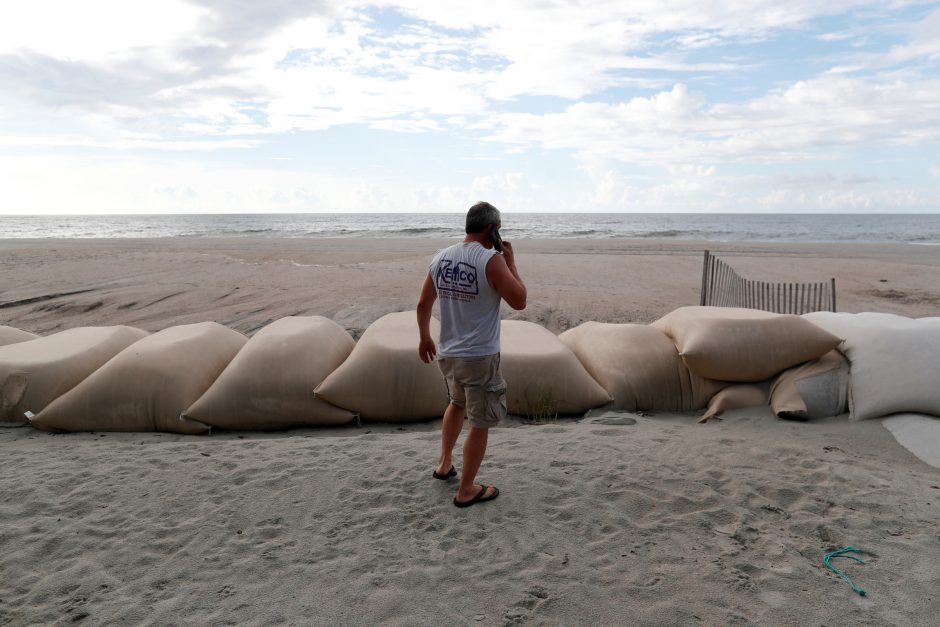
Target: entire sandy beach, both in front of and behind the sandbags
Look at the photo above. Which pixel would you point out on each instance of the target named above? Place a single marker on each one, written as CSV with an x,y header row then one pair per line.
x,y
612,519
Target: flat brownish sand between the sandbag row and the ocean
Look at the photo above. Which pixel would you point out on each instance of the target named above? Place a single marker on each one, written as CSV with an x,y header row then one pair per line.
x,y
245,283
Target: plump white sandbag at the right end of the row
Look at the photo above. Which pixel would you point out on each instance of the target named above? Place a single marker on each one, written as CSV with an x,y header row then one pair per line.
x,y
894,360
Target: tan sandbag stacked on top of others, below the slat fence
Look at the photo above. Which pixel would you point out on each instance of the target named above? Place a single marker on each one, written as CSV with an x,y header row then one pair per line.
x,y
743,345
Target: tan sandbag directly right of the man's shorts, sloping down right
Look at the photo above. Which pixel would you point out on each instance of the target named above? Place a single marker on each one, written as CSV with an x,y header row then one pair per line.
x,y
543,376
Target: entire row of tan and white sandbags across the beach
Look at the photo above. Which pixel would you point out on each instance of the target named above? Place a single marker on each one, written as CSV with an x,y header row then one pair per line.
x,y
193,377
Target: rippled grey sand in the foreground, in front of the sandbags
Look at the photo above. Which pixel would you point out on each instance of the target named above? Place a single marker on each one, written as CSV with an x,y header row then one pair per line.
x,y
661,522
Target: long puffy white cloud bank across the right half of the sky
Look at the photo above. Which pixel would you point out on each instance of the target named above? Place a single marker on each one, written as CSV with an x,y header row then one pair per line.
x,y
812,119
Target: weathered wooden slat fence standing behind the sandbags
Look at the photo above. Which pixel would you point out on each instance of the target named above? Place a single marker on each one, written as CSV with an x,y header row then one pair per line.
x,y
723,287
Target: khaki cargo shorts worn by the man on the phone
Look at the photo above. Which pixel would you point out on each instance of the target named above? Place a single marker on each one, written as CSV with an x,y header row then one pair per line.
x,y
476,384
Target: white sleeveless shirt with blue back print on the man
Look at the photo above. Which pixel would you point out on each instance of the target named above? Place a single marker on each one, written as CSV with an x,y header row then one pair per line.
x,y
469,306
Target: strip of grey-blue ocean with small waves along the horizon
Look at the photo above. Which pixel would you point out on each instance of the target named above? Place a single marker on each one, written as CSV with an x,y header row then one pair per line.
x,y
910,228
